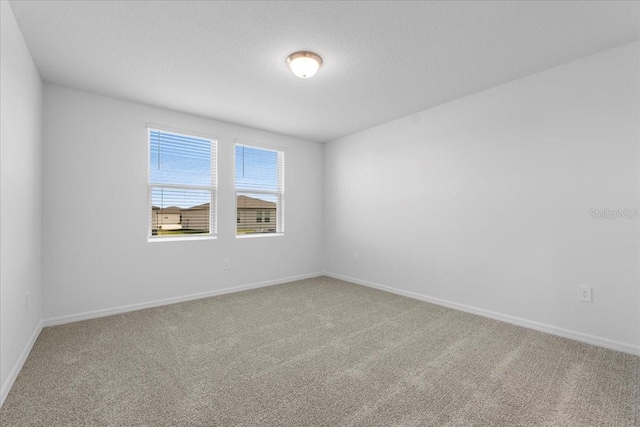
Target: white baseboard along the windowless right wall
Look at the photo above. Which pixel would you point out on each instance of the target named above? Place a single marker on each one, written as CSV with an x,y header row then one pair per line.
x,y
566,333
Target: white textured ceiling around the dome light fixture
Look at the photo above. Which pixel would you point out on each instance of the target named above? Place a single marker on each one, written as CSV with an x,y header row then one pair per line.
x,y
382,60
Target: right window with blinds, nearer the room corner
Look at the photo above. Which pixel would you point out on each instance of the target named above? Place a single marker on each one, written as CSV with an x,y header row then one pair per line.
x,y
259,190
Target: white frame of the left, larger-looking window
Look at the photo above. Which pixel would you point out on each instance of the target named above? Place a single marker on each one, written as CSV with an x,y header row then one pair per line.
x,y
213,188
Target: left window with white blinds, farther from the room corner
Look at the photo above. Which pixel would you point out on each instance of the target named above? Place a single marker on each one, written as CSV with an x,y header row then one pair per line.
x,y
182,185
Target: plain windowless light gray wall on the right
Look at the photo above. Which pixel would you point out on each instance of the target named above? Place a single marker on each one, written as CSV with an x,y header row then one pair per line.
x,y
485,201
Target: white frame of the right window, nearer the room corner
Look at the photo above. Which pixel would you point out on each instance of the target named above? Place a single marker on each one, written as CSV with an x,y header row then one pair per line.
x,y
280,193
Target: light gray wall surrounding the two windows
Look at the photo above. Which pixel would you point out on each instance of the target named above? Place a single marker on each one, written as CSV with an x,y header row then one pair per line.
x,y
95,163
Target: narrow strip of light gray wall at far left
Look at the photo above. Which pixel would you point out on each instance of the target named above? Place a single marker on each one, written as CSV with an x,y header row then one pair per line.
x,y
20,216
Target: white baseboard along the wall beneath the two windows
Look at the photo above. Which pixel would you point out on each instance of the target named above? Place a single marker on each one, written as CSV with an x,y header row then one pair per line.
x,y
133,307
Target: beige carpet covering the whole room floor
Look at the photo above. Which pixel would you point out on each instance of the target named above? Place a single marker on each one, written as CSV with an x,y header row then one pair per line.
x,y
318,352
